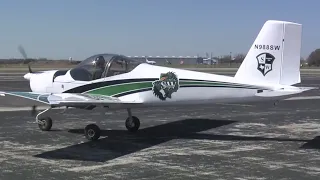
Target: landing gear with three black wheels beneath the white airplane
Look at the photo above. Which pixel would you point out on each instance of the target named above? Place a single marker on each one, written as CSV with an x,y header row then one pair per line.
x,y
92,131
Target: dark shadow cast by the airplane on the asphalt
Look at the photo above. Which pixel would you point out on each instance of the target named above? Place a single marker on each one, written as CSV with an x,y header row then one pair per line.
x,y
120,142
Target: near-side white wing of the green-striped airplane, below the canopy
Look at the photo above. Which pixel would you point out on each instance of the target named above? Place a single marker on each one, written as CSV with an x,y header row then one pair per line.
x,y
70,99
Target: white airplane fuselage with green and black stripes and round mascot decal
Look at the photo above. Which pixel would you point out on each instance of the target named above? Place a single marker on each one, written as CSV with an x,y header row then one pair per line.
x,y
161,86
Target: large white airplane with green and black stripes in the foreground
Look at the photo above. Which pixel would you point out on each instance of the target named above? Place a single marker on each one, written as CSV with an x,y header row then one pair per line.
x,y
268,73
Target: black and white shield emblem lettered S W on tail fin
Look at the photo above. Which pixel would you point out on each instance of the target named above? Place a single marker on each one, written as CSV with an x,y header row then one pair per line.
x,y
265,61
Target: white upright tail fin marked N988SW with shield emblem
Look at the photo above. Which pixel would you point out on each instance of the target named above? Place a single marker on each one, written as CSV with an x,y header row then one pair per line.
x,y
274,57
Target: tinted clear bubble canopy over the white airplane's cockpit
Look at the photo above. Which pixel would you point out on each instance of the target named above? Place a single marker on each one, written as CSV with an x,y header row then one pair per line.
x,y
102,65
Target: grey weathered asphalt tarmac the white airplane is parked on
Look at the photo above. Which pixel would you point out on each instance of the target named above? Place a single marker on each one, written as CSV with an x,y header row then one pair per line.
x,y
255,141
